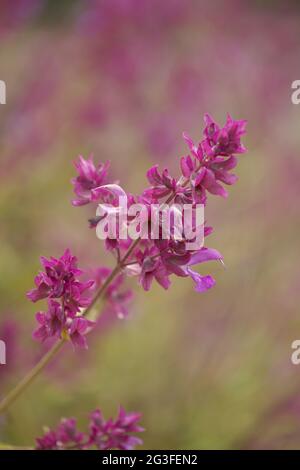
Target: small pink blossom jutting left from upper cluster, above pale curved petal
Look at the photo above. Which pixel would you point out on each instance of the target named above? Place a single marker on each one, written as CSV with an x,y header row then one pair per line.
x,y
89,177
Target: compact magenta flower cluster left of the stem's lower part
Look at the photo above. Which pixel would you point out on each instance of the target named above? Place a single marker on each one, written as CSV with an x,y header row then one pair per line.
x,y
66,296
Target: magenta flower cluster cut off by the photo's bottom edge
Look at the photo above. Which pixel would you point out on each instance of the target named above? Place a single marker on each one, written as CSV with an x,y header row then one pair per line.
x,y
102,434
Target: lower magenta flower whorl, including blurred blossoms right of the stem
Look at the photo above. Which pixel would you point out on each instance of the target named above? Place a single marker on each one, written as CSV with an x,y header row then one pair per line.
x,y
66,297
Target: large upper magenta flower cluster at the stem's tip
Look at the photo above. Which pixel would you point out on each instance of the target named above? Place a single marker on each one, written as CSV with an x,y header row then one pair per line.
x,y
204,170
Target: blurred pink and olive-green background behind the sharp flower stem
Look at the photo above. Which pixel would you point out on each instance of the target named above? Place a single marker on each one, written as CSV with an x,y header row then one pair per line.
x,y
122,79
